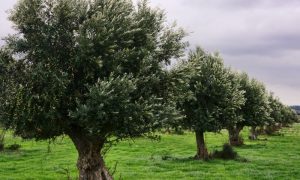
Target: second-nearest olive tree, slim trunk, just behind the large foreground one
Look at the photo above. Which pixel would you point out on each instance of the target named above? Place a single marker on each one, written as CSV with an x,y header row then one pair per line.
x,y
211,96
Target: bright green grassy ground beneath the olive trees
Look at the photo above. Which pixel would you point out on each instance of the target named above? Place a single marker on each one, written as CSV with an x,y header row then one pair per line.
x,y
276,157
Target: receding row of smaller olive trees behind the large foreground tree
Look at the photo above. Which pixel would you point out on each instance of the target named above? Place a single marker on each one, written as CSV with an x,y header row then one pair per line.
x,y
213,97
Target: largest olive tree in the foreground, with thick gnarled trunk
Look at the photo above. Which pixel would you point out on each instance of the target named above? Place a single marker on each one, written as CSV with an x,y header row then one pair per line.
x,y
91,70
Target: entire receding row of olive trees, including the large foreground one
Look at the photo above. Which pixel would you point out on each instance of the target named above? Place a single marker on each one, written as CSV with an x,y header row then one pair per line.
x,y
96,72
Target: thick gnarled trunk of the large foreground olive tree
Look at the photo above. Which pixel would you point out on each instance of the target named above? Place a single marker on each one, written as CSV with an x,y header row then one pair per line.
x,y
90,163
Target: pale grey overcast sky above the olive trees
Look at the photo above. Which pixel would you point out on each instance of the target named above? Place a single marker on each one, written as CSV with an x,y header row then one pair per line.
x,y
261,37
